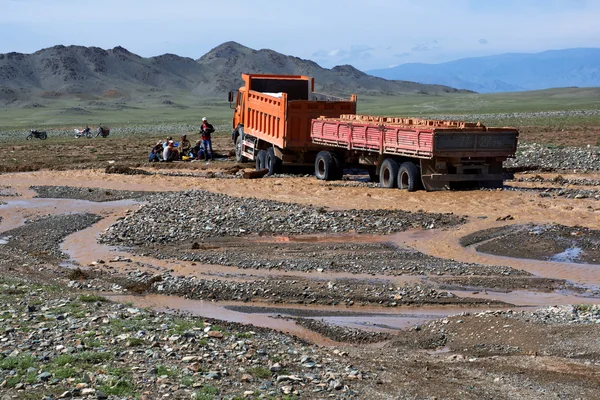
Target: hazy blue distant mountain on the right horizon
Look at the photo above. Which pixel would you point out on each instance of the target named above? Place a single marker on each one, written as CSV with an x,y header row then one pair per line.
x,y
507,72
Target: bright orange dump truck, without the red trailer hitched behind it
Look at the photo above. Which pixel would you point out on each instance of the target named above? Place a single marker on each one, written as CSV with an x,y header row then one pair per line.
x,y
273,116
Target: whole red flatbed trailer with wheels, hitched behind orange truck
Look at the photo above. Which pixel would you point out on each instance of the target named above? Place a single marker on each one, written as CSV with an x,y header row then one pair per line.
x,y
411,153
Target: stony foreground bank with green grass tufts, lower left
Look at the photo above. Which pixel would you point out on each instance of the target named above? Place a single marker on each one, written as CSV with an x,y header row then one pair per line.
x,y
57,343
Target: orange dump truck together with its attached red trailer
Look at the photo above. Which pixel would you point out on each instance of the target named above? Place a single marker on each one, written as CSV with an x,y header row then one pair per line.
x,y
279,120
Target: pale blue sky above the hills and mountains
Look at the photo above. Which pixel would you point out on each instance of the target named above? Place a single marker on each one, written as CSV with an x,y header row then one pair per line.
x,y
367,34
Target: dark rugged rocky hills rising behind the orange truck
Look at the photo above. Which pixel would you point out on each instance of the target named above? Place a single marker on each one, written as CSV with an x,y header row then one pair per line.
x,y
64,71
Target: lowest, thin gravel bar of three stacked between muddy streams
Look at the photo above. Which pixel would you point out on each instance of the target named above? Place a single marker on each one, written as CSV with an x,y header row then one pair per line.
x,y
297,290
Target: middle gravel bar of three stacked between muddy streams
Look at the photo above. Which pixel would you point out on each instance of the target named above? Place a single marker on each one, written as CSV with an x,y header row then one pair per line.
x,y
364,258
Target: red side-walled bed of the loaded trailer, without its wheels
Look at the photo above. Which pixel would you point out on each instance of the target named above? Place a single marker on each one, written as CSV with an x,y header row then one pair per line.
x,y
420,138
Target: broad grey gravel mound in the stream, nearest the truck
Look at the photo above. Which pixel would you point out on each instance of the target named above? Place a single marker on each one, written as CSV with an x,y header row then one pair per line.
x,y
198,215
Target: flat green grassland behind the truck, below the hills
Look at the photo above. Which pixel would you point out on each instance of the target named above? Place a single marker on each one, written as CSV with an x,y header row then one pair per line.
x,y
156,108
